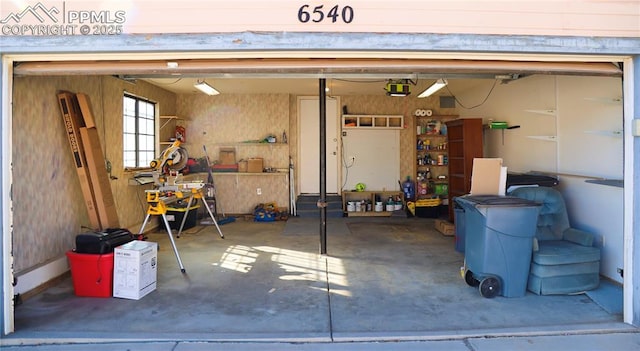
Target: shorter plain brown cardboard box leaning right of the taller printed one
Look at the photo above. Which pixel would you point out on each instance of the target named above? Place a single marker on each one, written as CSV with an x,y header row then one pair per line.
x,y
104,201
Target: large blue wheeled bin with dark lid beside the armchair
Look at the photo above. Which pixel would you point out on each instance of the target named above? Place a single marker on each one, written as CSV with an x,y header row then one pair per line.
x,y
499,233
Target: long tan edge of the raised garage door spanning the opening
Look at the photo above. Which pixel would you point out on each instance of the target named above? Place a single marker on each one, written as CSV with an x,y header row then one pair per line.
x,y
305,68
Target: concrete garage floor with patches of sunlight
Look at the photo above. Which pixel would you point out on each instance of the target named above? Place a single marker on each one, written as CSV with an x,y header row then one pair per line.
x,y
383,279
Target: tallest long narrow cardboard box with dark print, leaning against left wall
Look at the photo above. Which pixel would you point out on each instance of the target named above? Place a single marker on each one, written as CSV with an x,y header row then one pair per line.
x,y
72,118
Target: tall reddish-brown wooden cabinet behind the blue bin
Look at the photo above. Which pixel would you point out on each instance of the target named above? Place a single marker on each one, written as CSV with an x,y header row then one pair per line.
x,y
464,143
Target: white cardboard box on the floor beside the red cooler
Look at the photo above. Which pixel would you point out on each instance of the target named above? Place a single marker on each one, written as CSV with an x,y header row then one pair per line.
x,y
135,269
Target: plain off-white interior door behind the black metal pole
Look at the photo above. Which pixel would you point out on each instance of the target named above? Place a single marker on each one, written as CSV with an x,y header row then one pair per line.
x,y
309,145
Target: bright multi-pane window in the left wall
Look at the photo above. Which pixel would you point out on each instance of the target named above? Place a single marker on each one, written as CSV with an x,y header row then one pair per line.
x,y
139,131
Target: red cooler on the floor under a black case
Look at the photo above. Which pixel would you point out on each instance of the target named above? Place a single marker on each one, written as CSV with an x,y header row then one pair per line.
x,y
92,274
